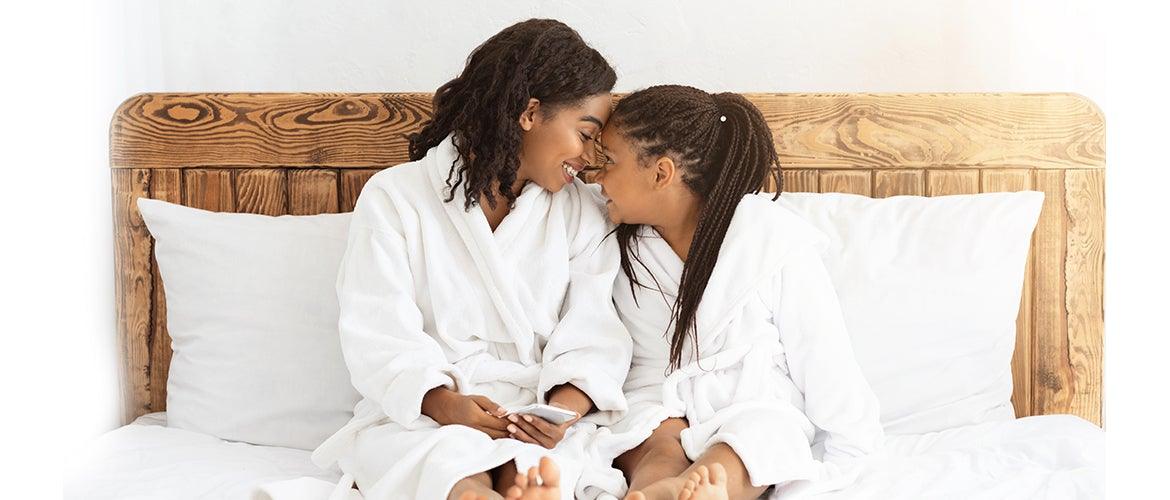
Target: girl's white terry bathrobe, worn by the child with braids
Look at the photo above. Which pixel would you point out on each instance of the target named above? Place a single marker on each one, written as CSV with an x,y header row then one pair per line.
x,y
775,362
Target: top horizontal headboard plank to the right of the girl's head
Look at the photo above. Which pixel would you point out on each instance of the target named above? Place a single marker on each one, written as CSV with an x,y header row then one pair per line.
x,y
935,131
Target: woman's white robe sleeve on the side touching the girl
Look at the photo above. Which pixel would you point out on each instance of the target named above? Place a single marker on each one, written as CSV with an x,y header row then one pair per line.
x,y
590,347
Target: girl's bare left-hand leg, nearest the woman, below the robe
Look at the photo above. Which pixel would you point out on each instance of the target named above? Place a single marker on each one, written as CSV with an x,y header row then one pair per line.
x,y
653,468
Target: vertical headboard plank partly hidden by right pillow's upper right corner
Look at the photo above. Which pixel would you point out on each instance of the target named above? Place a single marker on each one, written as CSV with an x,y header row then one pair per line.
x,y
1008,181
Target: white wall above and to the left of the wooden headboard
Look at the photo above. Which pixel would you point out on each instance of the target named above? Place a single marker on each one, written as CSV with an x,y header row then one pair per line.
x,y
396,46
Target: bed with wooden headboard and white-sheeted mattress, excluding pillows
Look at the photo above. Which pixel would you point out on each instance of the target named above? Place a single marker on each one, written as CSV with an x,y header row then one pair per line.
x,y
311,154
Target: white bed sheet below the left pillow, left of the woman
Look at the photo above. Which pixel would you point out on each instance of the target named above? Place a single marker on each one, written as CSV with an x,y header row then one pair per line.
x,y
149,461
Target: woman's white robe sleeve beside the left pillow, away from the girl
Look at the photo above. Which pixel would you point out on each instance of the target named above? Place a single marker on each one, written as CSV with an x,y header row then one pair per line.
x,y
393,361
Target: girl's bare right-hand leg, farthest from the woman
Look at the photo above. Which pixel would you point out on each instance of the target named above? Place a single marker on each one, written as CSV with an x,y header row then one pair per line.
x,y
719,475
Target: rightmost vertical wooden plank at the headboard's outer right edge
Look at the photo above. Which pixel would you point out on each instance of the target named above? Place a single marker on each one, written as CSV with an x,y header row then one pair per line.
x,y
1084,273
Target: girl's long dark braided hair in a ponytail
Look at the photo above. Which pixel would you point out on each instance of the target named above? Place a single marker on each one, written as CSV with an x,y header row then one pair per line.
x,y
724,149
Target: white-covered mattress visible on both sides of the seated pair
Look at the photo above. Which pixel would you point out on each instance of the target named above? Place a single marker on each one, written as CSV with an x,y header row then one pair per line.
x,y
1049,457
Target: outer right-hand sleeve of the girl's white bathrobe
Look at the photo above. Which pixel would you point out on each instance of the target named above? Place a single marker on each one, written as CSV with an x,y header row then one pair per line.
x,y
838,399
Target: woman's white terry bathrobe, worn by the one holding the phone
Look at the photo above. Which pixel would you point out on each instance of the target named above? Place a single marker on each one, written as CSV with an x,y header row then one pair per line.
x,y
430,296
